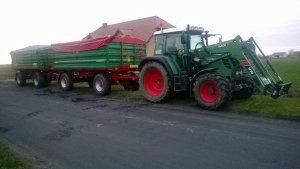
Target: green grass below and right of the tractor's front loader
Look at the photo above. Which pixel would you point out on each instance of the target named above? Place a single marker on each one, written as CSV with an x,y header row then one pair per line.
x,y
284,107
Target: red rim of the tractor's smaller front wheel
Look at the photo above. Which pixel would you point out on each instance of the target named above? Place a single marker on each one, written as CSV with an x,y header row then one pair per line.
x,y
209,91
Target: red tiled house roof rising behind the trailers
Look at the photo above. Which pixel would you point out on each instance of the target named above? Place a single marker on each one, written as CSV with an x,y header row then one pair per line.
x,y
140,28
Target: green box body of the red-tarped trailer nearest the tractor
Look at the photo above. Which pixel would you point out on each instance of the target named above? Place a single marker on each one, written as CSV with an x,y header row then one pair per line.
x,y
112,55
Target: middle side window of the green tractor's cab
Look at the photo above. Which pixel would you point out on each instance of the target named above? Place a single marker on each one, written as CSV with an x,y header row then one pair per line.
x,y
173,43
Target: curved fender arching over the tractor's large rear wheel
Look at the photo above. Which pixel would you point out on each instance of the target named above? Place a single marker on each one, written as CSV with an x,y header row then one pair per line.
x,y
162,60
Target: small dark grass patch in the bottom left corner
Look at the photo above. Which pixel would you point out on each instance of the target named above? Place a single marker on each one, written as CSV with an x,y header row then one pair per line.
x,y
11,160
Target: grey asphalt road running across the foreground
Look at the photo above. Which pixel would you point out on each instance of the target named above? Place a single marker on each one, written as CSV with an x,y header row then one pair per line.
x,y
77,130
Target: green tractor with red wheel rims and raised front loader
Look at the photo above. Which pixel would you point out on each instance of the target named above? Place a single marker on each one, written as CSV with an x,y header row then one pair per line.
x,y
213,74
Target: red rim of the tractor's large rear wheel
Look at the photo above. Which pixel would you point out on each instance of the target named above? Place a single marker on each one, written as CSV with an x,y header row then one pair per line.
x,y
153,82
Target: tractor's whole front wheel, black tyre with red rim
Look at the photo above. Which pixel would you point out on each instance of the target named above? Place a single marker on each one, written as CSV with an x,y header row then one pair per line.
x,y
212,91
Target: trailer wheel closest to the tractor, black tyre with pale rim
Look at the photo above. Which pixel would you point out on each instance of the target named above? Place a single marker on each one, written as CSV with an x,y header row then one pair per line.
x,y
101,85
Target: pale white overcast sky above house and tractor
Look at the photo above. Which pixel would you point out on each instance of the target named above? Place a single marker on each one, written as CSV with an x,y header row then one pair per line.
x,y
274,24
